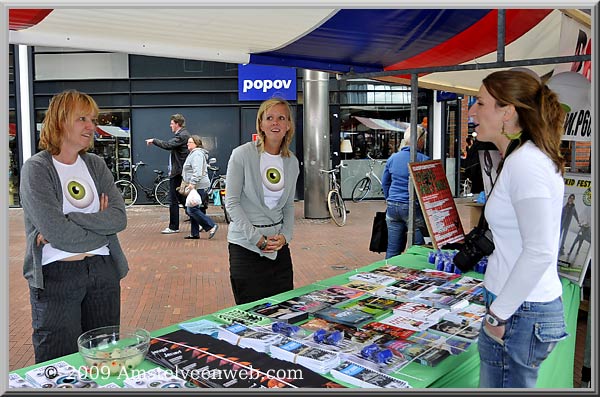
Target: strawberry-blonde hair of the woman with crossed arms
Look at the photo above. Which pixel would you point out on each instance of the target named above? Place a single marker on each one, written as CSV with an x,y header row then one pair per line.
x,y
60,114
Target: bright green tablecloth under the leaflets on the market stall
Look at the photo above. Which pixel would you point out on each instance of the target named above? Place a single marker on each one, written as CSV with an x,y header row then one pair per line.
x,y
461,371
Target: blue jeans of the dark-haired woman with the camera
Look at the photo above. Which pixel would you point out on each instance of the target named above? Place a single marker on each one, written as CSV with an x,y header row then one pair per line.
x,y
529,337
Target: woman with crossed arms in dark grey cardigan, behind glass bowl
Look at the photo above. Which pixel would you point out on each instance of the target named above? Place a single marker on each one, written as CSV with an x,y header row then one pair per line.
x,y
73,212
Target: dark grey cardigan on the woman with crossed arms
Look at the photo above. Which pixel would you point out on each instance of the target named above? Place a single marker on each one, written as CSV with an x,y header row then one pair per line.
x,y
42,202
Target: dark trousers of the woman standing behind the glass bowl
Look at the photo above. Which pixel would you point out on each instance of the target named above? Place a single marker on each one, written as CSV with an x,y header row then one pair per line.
x,y
78,296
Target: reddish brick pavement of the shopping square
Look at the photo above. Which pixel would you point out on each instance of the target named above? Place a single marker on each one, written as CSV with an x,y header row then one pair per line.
x,y
172,279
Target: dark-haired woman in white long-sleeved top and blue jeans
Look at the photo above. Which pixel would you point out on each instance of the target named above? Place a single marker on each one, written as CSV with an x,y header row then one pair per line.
x,y
524,319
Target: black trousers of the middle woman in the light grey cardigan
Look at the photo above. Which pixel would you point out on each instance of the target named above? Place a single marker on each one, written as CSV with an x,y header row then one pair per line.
x,y
255,277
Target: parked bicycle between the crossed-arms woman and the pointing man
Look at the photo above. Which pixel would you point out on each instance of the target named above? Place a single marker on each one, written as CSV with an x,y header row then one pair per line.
x,y
159,192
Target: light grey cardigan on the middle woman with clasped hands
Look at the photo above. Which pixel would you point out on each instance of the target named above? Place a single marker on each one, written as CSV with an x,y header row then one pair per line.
x,y
245,201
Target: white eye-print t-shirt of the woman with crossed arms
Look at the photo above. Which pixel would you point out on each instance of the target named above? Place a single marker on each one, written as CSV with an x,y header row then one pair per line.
x,y
79,195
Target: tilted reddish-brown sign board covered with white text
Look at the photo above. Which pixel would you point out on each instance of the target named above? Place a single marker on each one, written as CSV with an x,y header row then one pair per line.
x,y
437,202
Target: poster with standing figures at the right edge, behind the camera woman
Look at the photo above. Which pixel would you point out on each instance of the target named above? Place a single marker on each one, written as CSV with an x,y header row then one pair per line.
x,y
575,251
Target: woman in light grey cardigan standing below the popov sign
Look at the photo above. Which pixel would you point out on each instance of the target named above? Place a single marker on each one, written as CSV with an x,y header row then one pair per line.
x,y
261,183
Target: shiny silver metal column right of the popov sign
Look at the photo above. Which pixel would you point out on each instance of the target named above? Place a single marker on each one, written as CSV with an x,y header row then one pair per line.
x,y
316,143
